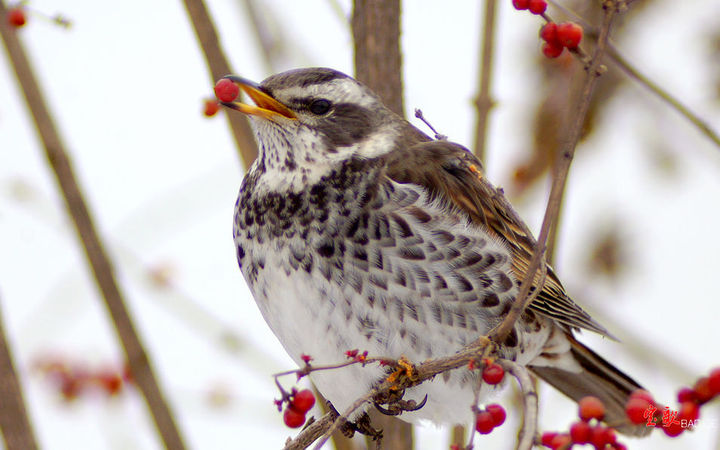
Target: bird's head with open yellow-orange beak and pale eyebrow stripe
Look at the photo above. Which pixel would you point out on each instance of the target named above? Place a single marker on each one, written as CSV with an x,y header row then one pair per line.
x,y
307,121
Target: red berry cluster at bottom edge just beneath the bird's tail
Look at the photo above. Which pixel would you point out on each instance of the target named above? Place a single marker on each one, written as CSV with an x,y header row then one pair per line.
x,y
588,430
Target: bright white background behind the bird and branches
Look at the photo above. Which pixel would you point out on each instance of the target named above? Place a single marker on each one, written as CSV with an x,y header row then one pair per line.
x,y
126,84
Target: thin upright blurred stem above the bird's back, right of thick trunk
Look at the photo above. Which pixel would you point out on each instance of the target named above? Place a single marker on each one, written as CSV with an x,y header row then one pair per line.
x,y
484,101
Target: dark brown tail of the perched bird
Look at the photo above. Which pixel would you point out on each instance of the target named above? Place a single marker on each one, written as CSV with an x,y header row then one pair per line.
x,y
598,378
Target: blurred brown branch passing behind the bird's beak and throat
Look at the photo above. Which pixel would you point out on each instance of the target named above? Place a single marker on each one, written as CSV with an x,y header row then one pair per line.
x,y
219,67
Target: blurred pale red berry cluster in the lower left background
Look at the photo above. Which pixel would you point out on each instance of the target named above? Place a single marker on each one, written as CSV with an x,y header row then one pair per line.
x,y
73,380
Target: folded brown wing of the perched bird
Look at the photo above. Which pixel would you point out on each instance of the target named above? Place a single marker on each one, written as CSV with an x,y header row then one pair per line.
x,y
454,175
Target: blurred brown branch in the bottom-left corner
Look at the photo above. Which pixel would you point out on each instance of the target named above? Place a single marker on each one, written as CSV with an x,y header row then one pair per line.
x,y
15,424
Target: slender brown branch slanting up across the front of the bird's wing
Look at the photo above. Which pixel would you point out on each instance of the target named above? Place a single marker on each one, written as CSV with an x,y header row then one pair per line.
x,y
594,69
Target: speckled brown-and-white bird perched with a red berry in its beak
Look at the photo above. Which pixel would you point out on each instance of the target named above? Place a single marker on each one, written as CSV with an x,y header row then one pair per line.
x,y
355,229
